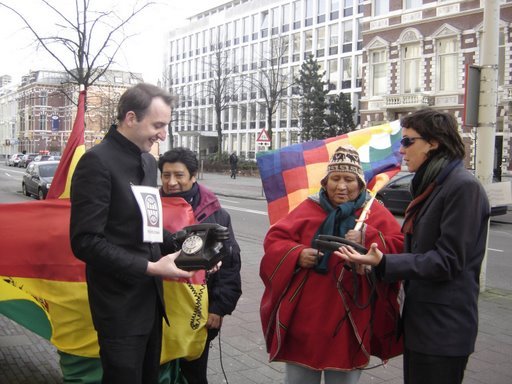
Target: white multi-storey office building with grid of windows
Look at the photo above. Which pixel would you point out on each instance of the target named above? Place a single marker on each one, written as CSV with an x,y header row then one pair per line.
x,y
252,40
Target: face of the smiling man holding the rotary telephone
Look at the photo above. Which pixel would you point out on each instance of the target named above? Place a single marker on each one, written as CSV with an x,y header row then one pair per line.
x,y
151,128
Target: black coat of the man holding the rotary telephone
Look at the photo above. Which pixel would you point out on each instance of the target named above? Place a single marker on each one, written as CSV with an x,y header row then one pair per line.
x,y
106,233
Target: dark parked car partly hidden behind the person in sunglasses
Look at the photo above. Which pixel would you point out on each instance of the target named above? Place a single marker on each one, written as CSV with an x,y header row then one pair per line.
x,y
396,195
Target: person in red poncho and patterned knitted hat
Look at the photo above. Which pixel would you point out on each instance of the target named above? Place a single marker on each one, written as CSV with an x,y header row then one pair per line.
x,y
319,315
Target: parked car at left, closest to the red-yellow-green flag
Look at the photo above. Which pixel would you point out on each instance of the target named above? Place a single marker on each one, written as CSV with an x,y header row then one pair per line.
x,y
38,177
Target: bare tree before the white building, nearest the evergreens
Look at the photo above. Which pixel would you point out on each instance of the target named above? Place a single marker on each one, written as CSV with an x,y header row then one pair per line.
x,y
273,80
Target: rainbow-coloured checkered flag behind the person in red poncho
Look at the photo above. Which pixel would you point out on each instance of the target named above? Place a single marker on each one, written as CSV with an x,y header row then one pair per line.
x,y
290,174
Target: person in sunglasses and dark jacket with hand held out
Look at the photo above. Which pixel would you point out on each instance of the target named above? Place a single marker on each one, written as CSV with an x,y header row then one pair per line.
x,y
445,229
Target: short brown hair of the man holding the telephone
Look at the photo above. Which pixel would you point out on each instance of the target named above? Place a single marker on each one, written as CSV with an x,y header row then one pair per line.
x,y
139,98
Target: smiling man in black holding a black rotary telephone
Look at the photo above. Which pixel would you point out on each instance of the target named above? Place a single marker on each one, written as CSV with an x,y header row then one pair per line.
x,y
109,232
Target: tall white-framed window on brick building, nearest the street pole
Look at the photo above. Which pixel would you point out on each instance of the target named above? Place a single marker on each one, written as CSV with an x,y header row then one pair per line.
x,y
448,68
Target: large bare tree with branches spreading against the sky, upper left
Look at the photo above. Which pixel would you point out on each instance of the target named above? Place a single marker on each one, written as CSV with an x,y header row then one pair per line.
x,y
85,43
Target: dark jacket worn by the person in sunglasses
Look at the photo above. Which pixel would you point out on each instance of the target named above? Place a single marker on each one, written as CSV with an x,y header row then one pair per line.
x,y
442,267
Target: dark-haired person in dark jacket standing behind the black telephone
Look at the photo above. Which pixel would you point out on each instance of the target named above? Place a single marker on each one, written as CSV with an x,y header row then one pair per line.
x,y
178,171
